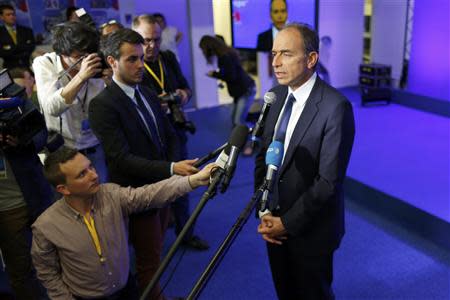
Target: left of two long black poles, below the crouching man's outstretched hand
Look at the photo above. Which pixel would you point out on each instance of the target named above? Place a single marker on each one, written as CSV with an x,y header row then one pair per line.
x,y
210,193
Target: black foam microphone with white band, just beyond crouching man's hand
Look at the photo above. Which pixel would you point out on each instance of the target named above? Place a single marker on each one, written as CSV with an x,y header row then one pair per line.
x,y
237,141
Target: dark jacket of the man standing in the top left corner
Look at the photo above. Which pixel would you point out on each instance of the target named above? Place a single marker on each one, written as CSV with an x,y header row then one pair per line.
x,y
16,55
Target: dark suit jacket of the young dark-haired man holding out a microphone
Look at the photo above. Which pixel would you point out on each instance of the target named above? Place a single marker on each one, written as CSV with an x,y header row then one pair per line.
x,y
132,157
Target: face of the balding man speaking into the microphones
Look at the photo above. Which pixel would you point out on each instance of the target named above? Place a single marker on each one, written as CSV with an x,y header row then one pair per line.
x,y
291,65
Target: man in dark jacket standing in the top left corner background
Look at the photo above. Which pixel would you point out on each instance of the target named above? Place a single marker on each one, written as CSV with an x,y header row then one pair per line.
x,y
16,42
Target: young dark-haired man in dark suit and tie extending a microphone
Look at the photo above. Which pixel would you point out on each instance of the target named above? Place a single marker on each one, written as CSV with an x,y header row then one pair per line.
x,y
139,142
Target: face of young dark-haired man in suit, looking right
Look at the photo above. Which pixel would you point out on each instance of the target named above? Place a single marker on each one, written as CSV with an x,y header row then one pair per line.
x,y
130,66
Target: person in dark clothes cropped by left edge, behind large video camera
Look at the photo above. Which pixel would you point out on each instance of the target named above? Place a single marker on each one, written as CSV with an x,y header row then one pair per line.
x,y
24,194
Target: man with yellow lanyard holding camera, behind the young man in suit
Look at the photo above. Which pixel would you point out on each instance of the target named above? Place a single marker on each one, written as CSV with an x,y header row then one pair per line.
x,y
163,75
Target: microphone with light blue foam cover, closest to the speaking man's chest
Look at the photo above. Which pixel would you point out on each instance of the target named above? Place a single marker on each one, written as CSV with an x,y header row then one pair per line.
x,y
274,157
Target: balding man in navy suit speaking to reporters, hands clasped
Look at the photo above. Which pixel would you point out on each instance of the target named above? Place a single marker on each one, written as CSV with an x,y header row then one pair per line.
x,y
316,125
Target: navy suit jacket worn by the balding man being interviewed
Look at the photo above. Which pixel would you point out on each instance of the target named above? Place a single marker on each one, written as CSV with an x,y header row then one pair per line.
x,y
309,187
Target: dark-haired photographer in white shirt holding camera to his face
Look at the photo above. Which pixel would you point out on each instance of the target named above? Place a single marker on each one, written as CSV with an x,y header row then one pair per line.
x,y
67,80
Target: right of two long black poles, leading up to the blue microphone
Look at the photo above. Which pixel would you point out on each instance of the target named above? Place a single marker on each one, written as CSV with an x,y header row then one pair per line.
x,y
226,244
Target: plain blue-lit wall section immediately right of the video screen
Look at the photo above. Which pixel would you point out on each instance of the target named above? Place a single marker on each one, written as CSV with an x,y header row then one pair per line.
x,y
343,21
